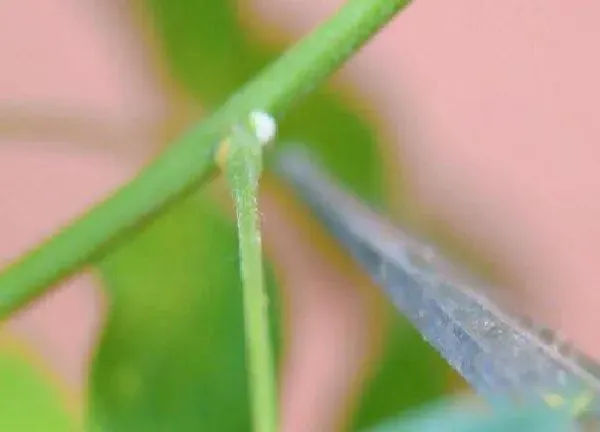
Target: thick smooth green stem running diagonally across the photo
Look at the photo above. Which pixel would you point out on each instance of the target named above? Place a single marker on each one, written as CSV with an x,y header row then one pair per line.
x,y
189,161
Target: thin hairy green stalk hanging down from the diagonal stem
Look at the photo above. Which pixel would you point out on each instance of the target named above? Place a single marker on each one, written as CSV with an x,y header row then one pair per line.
x,y
243,169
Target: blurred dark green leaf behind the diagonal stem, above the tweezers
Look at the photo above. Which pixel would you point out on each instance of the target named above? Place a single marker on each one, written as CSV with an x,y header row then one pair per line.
x,y
211,55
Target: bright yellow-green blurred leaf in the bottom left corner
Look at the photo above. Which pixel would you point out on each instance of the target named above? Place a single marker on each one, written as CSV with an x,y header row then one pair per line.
x,y
28,400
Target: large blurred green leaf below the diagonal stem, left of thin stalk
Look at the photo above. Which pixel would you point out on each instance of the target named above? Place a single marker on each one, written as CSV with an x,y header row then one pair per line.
x,y
172,354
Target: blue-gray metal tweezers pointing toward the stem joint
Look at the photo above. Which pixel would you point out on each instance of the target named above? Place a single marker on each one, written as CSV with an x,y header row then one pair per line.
x,y
496,352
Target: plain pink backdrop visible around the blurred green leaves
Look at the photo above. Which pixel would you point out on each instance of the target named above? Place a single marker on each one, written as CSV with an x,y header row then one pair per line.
x,y
491,104
